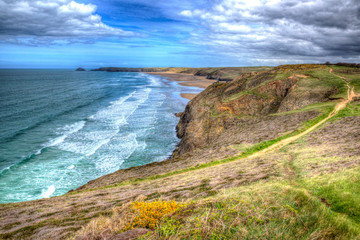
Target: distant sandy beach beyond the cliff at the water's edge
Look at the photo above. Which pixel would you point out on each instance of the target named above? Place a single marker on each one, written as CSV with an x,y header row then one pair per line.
x,y
186,80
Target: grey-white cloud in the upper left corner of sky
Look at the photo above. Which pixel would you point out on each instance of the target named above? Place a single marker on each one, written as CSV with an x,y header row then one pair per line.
x,y
52,19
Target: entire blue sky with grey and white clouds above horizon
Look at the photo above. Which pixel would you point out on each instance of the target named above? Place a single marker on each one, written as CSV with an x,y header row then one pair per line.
x,y
193,33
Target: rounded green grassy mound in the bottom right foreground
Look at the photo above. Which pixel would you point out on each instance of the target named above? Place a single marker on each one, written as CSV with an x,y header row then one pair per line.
x,y
260,211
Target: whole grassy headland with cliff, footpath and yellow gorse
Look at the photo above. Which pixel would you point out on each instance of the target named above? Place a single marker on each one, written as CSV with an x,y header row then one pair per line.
x,y
273,154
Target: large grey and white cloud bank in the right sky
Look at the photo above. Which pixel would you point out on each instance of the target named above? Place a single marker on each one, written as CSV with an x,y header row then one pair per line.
x,y
267,29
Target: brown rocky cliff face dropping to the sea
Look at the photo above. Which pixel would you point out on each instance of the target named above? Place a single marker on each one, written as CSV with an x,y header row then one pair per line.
x,y
246,110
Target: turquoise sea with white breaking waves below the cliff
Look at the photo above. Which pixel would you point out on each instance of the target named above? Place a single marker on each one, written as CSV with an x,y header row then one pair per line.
x,y
60,129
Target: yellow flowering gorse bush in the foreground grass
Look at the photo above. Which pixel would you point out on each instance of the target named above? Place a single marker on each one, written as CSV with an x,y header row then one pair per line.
x,y
148,214
